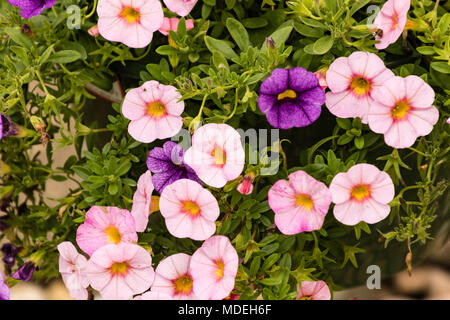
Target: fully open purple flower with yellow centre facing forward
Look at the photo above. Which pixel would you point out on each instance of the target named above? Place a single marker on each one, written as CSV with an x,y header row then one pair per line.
x,y
291,98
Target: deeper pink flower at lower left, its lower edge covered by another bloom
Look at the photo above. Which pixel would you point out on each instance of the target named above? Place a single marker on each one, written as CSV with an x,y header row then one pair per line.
x,y
105,225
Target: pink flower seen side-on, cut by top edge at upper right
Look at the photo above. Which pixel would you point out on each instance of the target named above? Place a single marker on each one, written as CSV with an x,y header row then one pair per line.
x,y
391,20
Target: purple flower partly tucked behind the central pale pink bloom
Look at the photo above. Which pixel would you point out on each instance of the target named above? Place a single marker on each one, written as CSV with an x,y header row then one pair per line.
x,y
168,166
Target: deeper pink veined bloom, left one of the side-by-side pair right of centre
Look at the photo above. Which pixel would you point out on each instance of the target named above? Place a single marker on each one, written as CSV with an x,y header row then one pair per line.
x,y
300,204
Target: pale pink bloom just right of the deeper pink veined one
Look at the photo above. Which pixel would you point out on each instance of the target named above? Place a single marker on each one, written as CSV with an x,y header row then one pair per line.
x,y
362,194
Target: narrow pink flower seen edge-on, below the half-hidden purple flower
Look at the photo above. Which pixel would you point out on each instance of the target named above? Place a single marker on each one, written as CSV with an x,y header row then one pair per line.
x,y
142,199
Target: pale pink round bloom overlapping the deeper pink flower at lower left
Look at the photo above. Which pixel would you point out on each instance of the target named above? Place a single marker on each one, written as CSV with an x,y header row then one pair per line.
x,y
120,271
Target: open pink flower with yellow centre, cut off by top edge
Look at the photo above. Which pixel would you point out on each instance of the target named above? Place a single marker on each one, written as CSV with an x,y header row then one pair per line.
x,y
131,22
